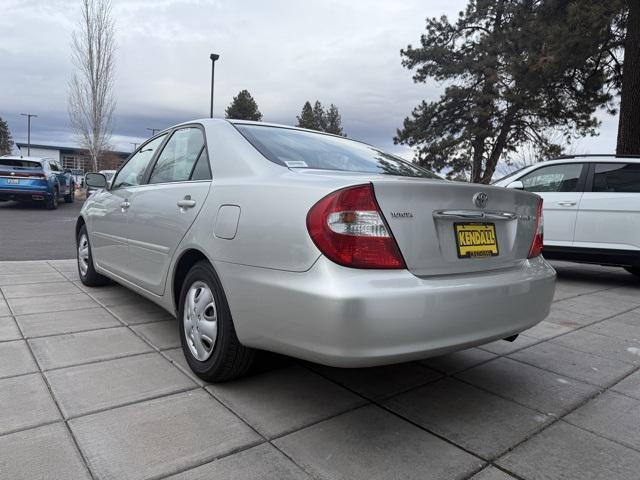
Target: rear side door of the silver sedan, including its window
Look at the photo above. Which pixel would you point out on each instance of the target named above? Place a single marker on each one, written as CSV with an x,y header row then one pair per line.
x,y
164,208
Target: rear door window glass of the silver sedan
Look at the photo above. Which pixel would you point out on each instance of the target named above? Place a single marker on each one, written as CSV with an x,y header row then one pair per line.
x,y
179,156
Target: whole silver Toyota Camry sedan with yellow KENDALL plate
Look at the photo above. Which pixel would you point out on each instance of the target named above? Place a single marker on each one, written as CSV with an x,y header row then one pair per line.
x,y
261,236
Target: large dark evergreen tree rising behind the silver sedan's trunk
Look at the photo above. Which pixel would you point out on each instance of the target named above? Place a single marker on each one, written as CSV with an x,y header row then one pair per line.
x,y
515,70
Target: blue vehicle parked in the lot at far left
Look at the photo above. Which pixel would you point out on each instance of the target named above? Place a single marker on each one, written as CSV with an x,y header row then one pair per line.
x,y
35,179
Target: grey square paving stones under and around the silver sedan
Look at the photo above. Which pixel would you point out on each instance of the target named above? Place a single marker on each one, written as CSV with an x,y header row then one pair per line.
x,y
93,385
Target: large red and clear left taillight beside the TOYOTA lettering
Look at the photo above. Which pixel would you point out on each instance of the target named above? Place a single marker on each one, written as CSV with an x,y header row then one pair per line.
x,y
348,228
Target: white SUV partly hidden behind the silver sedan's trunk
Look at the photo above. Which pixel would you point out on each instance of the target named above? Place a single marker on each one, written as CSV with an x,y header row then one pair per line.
x,y
591,207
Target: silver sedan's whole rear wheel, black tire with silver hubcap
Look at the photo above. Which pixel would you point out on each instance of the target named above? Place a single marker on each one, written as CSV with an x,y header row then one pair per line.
x,y
211,347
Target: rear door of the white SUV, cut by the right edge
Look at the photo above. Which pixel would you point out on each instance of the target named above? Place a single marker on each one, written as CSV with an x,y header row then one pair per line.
x,y
609,213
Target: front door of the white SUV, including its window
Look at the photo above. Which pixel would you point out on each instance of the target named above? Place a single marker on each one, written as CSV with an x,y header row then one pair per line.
x,y
560,186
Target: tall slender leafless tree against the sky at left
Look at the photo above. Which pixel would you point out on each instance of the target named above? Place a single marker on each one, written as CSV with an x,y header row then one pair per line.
x,y
91,99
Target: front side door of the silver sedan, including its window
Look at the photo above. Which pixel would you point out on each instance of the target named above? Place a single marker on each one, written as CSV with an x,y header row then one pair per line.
x,y
108,211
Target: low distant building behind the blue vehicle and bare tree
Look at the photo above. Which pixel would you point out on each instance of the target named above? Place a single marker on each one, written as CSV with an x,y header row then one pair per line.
x,y
75,158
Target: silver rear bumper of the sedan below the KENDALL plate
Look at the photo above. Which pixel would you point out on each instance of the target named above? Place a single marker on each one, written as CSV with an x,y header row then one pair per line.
x,y
354,318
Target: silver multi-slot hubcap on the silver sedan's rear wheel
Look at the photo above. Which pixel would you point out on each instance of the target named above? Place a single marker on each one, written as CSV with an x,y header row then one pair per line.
x,y
200,321
